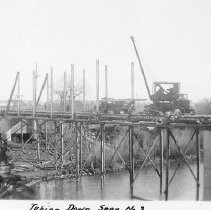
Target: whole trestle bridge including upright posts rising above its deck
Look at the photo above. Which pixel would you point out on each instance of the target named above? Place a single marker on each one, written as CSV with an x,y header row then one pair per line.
x,y
165,125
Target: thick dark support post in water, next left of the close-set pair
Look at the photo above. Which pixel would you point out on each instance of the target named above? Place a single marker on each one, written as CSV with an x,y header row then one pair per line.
x,y
131,159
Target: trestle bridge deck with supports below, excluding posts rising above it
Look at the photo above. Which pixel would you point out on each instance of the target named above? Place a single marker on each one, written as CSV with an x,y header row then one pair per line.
x,y
163,124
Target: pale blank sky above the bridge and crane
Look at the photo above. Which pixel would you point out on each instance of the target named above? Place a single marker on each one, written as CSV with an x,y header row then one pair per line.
x,y
173,38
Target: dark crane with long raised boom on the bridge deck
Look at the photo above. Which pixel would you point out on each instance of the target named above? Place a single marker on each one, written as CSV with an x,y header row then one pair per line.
x,y
166,96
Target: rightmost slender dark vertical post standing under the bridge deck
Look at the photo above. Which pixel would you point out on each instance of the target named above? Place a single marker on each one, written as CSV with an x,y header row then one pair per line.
x,y
197,162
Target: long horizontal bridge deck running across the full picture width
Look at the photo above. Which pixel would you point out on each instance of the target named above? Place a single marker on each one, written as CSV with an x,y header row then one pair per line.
x,y
121,119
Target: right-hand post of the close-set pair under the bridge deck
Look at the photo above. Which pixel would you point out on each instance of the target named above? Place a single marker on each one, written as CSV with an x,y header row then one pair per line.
x,y
167,164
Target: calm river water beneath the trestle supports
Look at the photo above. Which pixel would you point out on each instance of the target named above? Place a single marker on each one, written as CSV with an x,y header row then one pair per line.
x,y
116,186
